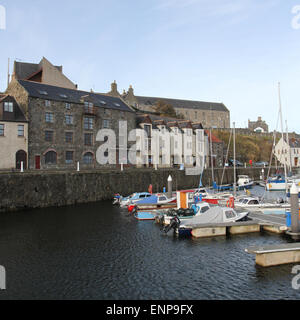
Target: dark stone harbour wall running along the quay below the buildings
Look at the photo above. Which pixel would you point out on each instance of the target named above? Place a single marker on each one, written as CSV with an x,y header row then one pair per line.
x,y
20,191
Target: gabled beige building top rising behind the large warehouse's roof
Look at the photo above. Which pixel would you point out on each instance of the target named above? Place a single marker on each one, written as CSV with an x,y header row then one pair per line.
x,y
43,72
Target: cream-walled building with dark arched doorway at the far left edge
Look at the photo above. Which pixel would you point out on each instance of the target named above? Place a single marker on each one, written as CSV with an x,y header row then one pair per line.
x,y
13,134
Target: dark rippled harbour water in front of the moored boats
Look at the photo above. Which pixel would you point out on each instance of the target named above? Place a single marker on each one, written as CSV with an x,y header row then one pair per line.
x,y
96,251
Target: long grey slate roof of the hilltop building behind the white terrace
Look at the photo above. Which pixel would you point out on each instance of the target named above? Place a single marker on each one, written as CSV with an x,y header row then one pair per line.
x,y
186,104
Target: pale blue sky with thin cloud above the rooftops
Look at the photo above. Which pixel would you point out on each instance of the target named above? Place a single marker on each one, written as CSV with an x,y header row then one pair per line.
x,y
230,51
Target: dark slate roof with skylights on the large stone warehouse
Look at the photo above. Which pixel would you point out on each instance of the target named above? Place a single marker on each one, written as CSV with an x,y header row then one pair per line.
x,y
35,90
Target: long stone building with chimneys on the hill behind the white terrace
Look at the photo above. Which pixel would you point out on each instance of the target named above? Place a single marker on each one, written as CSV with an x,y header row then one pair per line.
x,y
210,114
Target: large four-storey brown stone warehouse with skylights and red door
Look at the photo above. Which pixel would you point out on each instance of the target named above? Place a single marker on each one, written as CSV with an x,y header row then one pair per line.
x,y
64,123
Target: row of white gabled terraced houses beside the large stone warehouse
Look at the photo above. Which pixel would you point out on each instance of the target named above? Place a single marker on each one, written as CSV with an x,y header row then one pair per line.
x,y
168,142
